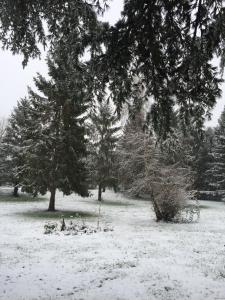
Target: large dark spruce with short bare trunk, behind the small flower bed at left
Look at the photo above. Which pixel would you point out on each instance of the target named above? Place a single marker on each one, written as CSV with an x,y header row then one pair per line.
x,y
55,146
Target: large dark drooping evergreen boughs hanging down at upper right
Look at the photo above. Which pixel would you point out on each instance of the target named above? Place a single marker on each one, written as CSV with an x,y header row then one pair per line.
x,y
168,46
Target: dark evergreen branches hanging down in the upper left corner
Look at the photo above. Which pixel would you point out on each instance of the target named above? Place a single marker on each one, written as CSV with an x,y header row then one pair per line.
x,y
23,24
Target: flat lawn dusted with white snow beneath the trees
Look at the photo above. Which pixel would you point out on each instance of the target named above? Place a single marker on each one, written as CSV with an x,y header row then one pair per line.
x,y
140,259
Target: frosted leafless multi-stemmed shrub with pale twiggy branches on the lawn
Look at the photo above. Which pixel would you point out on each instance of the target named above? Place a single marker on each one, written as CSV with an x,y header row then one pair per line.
x,y
146,169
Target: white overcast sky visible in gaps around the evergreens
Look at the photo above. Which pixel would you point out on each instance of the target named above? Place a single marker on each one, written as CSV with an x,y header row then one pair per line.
x,y
14,79
